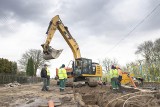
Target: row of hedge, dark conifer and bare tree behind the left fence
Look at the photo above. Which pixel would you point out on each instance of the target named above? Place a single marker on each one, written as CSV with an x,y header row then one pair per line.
x,y
28,64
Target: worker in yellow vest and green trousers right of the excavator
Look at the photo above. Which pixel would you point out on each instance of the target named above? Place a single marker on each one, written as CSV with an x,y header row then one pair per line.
x,y
114,77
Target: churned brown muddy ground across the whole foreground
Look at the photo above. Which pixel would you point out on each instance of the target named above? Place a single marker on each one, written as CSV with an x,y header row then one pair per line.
x,y
101,96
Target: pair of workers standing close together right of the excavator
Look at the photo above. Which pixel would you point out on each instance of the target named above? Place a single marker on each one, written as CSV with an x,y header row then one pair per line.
x,y
116,77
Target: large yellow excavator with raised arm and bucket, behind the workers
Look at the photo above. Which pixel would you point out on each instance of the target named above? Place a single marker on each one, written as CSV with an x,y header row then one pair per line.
x,y
83,69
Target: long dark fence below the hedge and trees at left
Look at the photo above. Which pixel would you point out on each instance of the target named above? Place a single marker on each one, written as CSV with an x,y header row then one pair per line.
x,y
4,79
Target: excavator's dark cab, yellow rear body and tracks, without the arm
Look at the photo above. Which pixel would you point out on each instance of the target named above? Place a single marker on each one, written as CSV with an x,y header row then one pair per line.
x,y
85,70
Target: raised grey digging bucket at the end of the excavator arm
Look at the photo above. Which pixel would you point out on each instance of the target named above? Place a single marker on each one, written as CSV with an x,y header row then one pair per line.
x,y
53,54
